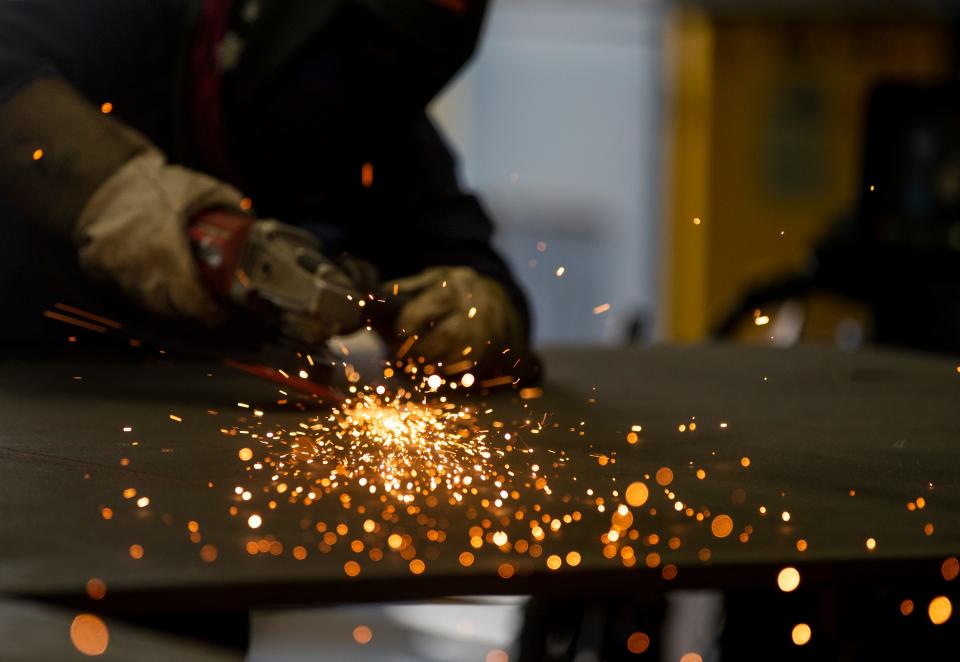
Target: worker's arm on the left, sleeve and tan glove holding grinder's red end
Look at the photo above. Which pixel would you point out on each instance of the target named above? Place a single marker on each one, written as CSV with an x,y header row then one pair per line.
x,y
85,176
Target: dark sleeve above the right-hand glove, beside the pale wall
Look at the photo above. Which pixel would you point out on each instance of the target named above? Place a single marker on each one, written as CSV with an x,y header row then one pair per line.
x,y
440,223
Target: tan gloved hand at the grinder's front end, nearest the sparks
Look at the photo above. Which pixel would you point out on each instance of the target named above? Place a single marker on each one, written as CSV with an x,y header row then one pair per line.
x,y
453,308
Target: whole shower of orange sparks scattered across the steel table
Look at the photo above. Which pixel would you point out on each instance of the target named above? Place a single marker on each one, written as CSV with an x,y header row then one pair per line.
x,y
425,473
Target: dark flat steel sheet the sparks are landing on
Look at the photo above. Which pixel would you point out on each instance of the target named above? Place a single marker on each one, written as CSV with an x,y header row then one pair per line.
x,y
815,423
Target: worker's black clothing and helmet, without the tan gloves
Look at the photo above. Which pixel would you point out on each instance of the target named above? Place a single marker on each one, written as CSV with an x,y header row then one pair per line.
x,y
322,103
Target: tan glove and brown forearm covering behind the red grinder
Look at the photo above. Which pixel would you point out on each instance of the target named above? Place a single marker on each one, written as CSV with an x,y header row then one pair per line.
x,y
88,178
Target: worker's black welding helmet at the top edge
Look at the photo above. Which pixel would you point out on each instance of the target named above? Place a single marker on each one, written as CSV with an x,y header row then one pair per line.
x,y
320,82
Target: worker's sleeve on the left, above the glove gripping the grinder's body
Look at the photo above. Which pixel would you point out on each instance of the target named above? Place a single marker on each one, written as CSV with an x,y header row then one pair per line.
x,y
59,60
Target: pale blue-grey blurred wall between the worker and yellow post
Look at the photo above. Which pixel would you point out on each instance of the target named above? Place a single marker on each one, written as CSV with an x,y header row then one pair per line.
x,y
559,122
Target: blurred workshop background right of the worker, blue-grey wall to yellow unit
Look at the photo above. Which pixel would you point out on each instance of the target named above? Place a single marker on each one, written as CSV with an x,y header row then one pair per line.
x,y
769,171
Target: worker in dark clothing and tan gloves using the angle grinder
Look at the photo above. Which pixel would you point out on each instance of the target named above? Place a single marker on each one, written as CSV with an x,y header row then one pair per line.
x,y
123,120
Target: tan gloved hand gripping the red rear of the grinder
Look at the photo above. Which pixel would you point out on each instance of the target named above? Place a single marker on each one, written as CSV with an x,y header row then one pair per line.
x,y
132,232
